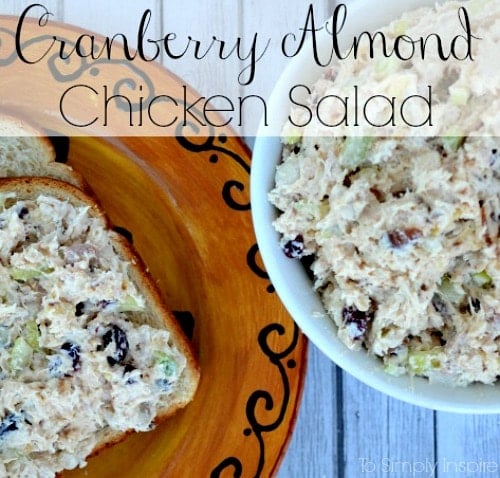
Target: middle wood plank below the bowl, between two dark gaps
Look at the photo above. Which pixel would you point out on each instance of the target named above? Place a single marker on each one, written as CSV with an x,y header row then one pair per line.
x,y
382,435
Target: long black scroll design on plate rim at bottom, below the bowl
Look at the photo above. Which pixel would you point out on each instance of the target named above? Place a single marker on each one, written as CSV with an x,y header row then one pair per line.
x,y
282,360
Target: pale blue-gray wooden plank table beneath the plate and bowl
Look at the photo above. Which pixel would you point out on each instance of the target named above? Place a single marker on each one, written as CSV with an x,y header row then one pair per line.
x,y
344,428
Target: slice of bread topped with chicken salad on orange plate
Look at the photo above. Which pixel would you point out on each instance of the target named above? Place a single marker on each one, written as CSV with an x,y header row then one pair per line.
x,y
88,350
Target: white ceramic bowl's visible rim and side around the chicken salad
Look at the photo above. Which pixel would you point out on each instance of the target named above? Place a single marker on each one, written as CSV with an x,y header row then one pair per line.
x,y
289,277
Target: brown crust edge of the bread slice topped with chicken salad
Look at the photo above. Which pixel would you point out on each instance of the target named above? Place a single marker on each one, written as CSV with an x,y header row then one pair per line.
x,y
161,317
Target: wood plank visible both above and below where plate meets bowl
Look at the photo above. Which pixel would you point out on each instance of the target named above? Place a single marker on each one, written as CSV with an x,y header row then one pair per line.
x,y
315,442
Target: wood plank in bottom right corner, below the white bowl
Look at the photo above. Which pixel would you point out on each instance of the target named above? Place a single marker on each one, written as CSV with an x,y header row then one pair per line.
x,y
468,445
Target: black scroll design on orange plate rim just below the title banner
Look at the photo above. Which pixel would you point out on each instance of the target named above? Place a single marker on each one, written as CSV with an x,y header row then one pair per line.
x,y
215,145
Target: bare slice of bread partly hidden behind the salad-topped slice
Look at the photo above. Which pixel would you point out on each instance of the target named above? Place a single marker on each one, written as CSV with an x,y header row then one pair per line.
x,y
25,151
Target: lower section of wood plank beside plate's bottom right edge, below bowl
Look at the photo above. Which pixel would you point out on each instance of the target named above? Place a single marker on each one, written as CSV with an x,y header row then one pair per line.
x,y
313,449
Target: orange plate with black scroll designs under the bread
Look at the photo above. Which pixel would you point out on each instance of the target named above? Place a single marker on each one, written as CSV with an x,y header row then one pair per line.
x,y
186,202
